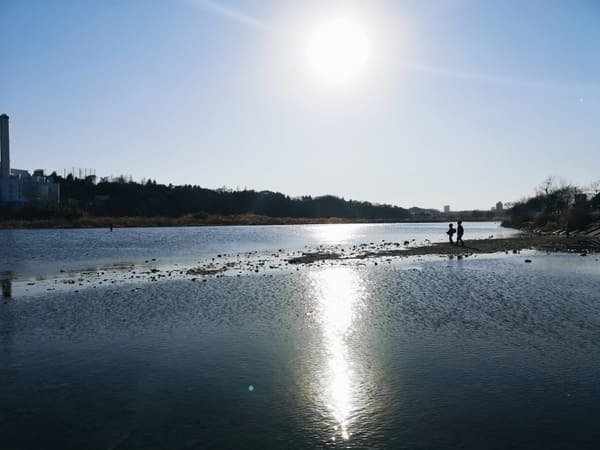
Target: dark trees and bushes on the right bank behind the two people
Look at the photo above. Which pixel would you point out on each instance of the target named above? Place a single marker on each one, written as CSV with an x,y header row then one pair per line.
x,y
557,204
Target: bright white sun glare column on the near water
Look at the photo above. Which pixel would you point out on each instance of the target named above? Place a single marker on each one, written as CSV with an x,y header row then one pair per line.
x,y
339,294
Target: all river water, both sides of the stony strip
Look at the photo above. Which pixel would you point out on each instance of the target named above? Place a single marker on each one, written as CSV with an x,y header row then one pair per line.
x,y
478,352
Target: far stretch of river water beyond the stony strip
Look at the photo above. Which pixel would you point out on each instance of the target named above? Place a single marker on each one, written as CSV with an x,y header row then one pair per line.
x,y
41,253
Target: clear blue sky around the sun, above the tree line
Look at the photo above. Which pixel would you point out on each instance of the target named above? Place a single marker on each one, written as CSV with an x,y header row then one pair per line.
x,y
449,101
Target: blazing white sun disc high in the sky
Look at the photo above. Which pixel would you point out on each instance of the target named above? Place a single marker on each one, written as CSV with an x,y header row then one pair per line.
x,y
338,50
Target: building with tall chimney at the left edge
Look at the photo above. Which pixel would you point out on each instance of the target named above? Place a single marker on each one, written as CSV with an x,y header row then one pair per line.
x,y
18,186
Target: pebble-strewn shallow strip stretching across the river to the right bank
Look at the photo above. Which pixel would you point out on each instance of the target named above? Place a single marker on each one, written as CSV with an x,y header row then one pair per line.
x,y
281,260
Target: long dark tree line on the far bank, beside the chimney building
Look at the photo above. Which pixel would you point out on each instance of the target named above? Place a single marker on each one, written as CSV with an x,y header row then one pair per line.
x,y
122,196
